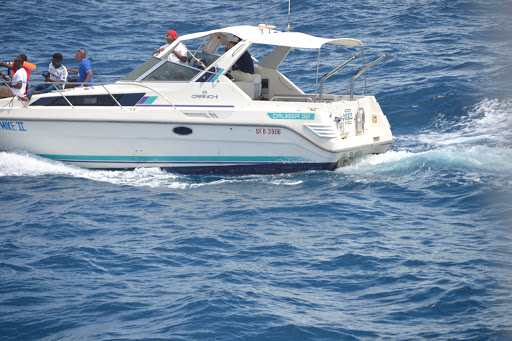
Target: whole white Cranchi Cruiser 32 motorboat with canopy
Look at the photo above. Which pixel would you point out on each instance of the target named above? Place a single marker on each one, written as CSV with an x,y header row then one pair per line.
x,y
188,119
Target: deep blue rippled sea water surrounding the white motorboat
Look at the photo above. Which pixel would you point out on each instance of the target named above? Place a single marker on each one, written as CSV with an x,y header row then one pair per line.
x,y
409,245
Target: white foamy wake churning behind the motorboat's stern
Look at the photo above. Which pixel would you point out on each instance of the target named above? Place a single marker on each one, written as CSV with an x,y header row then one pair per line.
x,y
476,144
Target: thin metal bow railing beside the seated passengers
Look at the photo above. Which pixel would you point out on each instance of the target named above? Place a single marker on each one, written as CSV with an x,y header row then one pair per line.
x,y
71,85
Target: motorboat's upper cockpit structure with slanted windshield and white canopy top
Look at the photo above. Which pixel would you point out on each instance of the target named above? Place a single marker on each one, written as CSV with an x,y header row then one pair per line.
x,y
268,83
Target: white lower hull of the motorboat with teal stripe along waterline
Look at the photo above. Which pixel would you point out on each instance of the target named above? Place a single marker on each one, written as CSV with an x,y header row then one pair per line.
x,y
176,146
